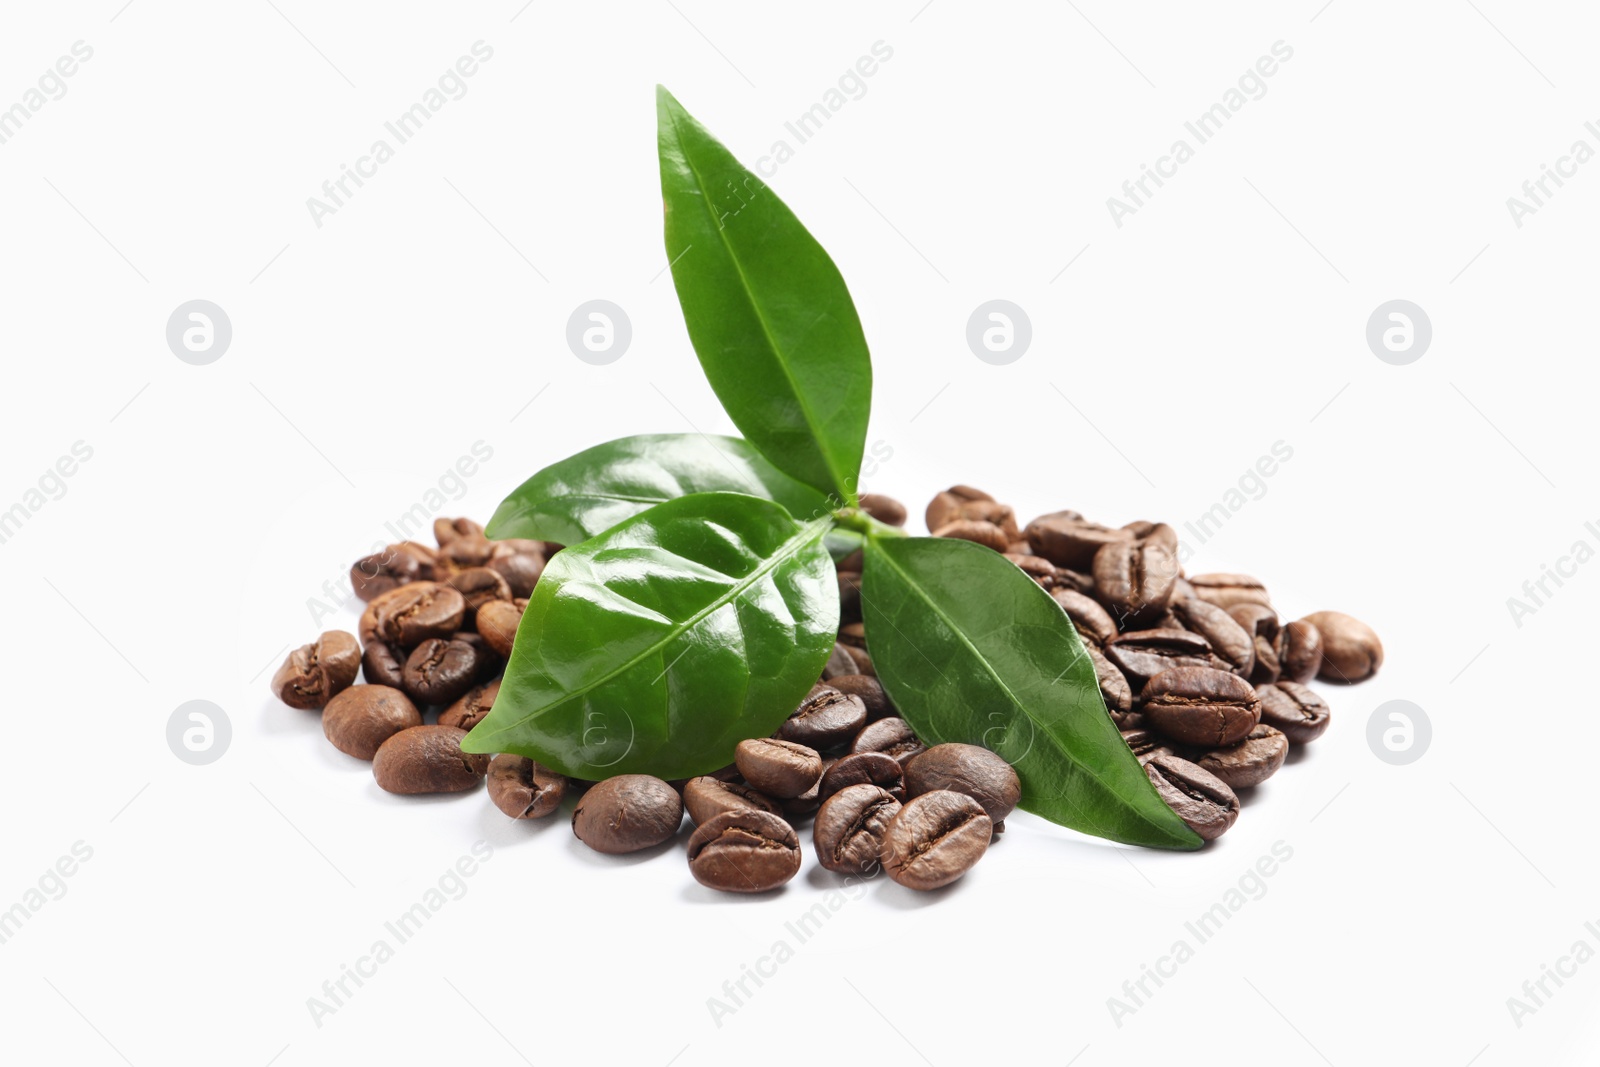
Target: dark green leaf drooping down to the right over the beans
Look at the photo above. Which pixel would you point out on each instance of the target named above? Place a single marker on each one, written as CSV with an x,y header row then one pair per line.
x,y
972,650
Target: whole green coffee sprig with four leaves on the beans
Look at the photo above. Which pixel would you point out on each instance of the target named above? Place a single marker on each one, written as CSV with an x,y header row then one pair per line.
x,y
698,602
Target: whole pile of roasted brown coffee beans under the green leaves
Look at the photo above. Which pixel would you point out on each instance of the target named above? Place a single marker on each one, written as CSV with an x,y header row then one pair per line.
x,y
1206,682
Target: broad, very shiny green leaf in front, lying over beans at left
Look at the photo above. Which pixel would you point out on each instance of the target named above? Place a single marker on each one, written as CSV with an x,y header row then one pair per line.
x,y
660,645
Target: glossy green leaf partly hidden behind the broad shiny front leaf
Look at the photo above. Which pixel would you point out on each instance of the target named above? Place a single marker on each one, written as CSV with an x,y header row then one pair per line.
x,y
601,487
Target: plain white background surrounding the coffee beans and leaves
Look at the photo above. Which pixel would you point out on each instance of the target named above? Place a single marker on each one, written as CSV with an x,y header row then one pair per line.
x,y
426,314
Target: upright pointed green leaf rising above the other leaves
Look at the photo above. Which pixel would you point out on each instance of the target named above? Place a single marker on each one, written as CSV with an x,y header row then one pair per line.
x,y
767,311
